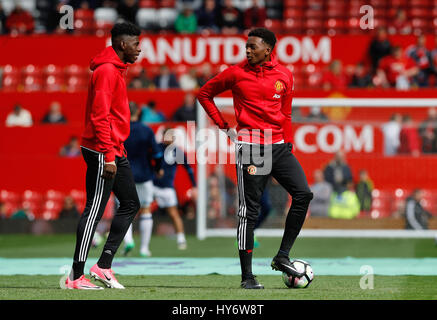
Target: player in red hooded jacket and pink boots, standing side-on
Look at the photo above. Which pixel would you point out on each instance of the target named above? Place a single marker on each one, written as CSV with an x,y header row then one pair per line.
x,y
107,121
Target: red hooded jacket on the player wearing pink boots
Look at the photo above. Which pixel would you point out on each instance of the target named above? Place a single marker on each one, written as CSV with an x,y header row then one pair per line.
x,y
107,117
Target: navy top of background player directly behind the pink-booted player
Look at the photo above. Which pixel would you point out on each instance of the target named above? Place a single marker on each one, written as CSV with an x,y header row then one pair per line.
x,y
141,148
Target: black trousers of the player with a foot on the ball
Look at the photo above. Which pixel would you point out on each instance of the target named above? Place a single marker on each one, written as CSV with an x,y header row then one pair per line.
x,y
286,169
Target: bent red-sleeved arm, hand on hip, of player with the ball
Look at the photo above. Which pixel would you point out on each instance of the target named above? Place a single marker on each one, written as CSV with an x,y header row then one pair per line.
x,y
220,83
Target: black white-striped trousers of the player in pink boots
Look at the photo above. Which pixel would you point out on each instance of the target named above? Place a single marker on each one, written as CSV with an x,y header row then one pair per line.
x,y
98,192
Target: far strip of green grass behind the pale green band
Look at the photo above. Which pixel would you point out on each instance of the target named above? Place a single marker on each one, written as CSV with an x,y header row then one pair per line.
x,y
62,245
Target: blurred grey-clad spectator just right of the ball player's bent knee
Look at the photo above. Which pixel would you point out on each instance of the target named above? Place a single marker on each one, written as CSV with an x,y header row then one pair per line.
x,y
322,191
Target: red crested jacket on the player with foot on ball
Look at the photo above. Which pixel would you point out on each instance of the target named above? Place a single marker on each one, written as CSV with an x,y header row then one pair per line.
x,y
262,98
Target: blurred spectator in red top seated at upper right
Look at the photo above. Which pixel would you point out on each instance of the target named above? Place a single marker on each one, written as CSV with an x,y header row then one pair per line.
x,y
397,70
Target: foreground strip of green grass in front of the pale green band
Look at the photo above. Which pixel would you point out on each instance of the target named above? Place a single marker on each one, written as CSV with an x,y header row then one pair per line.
x,y
217,287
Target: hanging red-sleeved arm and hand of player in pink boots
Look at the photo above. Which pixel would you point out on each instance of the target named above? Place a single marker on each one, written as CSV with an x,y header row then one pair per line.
x,y
104,84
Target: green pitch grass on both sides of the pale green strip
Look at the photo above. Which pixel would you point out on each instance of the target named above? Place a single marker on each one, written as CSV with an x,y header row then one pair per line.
x,y
223,287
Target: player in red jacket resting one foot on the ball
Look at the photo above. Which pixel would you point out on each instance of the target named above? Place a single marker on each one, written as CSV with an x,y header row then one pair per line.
x,y
262,94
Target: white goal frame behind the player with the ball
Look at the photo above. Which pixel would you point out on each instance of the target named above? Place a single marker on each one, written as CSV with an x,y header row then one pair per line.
x,y
203,230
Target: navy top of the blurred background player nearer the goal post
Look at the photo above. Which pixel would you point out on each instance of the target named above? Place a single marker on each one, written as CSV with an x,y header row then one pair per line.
x,y
169,165
